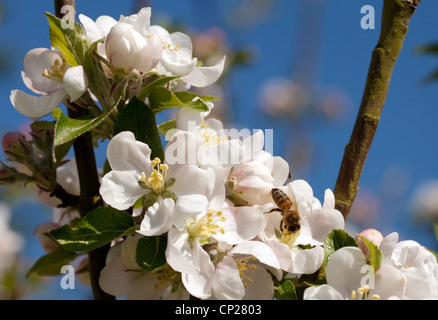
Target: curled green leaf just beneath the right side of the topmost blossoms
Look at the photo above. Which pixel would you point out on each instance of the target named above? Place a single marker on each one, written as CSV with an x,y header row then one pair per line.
x,y
161,99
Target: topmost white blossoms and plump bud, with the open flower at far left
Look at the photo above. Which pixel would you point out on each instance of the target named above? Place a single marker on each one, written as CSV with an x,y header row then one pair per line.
x,y
130,46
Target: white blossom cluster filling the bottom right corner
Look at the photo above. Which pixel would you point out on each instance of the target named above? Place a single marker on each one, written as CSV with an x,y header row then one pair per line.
x,y
406,271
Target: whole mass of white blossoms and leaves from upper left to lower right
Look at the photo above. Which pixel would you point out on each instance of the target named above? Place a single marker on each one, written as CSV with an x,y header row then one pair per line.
x,y
196,218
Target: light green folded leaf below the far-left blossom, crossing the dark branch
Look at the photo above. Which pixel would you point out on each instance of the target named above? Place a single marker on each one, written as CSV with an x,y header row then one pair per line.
x,y
68,129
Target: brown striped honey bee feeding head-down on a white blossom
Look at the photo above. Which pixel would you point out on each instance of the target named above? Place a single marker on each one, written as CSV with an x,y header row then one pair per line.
x,y
289,210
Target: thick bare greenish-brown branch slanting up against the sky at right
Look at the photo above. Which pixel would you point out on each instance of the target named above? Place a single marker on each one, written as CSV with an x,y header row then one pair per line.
x,y
396,15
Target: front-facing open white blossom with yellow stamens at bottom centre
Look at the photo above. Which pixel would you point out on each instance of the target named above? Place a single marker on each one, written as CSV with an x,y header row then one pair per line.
x,y
190,234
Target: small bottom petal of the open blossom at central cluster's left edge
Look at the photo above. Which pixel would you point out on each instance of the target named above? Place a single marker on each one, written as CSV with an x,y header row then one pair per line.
x,y
157,219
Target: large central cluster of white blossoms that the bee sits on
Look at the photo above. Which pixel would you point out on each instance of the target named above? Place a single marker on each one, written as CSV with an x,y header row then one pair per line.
x,y
221,243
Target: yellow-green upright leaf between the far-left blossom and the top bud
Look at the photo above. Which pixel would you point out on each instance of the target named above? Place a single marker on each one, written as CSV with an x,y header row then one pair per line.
x,y
69,38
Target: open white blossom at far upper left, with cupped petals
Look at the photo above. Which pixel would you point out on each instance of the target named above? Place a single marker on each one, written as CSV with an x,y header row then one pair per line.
x,y
46,72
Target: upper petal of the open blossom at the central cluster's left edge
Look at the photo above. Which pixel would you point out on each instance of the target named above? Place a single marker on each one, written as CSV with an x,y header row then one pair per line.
x,y
125,153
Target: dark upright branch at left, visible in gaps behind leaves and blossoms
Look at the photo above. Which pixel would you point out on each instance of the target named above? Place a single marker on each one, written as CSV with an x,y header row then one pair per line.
x,y
89,183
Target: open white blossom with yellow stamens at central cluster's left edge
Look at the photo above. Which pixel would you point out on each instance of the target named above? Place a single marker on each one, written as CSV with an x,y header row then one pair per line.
x,y
134,175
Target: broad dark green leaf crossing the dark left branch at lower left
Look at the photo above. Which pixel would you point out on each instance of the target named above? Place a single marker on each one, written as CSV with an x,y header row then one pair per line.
x,y
99,227
